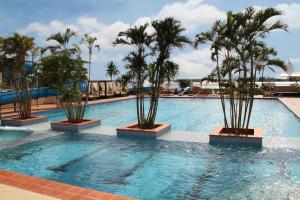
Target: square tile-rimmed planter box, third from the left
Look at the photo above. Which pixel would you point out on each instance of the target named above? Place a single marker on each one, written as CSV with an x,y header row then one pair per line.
x,y
135,131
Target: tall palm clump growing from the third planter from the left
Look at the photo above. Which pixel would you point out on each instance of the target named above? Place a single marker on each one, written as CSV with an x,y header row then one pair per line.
x,y
150,60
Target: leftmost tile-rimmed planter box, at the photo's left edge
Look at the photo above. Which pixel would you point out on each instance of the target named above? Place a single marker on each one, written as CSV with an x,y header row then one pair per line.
x,y
15,121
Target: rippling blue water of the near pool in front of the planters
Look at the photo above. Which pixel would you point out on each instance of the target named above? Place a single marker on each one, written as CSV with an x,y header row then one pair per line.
x,y
149,169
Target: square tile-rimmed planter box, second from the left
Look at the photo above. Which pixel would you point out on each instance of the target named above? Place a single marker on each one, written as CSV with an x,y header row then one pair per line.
x,y
75,127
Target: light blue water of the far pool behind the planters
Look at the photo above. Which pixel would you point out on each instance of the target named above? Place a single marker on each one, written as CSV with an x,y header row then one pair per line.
x,y
196,115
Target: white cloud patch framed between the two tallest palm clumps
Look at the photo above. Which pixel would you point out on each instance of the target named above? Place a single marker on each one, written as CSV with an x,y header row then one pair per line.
x,y
194,64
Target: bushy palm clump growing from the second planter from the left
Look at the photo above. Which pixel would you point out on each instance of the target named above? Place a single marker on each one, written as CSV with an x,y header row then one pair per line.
x,y
64,70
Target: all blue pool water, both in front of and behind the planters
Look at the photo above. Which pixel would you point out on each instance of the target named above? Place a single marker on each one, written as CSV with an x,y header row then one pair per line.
x,y
150,169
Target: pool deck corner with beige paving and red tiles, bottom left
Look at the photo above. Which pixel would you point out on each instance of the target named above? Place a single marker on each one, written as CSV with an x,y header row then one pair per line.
x,y
15,186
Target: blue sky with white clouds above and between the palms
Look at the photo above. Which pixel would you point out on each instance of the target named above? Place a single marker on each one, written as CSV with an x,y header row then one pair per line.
x,y
104,19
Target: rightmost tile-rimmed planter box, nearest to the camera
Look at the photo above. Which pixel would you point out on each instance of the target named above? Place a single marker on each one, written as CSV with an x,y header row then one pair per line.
x,y
251,137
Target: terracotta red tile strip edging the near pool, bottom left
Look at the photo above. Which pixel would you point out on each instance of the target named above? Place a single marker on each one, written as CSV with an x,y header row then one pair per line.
x,y
54,189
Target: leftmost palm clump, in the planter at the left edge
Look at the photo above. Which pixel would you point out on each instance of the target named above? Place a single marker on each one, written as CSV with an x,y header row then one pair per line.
x,y
16,49
